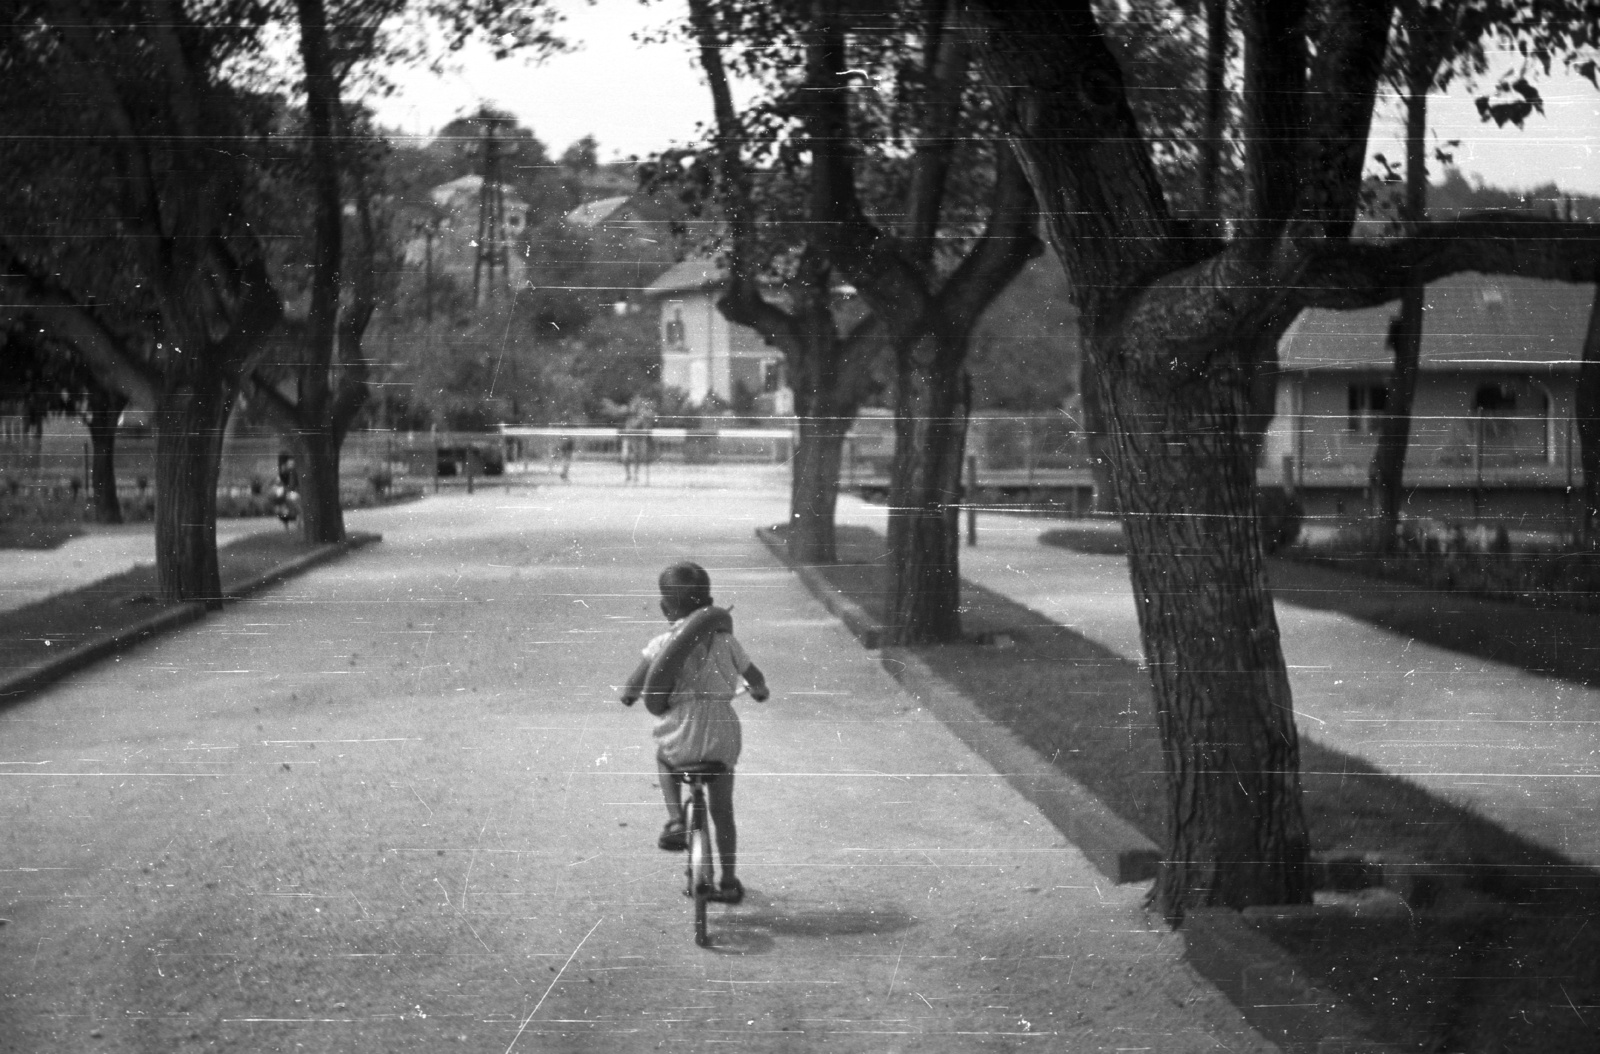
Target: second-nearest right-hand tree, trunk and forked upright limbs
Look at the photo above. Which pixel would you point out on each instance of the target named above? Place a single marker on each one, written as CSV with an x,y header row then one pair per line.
x,y
929,316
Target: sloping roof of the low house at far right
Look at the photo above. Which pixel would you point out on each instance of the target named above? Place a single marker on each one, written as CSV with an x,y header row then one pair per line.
x,y
1470,322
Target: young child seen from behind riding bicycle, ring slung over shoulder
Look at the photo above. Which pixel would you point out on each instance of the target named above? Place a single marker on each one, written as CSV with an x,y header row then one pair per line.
x,y
695,717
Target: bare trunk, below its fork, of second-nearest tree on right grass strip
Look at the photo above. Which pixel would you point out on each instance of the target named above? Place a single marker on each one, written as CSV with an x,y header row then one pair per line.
x,y
934,399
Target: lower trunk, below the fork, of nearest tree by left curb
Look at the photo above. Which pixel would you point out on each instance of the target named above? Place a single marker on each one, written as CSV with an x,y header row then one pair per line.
x,y
188,453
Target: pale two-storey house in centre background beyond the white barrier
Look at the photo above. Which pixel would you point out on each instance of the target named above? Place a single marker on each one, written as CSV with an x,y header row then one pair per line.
x,y
703,353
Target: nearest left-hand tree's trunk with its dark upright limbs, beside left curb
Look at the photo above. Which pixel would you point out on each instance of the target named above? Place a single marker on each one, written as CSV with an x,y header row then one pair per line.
x,y
185,204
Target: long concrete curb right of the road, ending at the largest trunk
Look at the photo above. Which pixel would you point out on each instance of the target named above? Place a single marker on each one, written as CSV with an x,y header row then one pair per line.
x,y
1113,845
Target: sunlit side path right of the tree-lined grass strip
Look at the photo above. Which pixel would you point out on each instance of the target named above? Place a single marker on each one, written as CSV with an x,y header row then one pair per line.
x,y
1518,748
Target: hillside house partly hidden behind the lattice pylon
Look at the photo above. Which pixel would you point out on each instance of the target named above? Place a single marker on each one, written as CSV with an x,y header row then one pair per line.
x,y
454,238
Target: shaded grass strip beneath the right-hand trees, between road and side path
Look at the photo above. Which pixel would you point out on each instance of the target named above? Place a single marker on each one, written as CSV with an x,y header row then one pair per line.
x,y
1511,962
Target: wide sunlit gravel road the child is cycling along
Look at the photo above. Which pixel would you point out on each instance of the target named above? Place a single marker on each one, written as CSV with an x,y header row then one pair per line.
x,y
393,805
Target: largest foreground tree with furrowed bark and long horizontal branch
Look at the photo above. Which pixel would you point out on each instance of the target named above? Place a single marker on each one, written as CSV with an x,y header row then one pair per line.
x,y
1170,319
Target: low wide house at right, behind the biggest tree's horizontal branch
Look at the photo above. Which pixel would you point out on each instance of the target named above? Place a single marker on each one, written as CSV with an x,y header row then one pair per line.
x,y
1494,429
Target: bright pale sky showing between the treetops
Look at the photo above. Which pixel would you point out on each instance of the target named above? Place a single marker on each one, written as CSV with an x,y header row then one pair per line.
x,y
641,98
